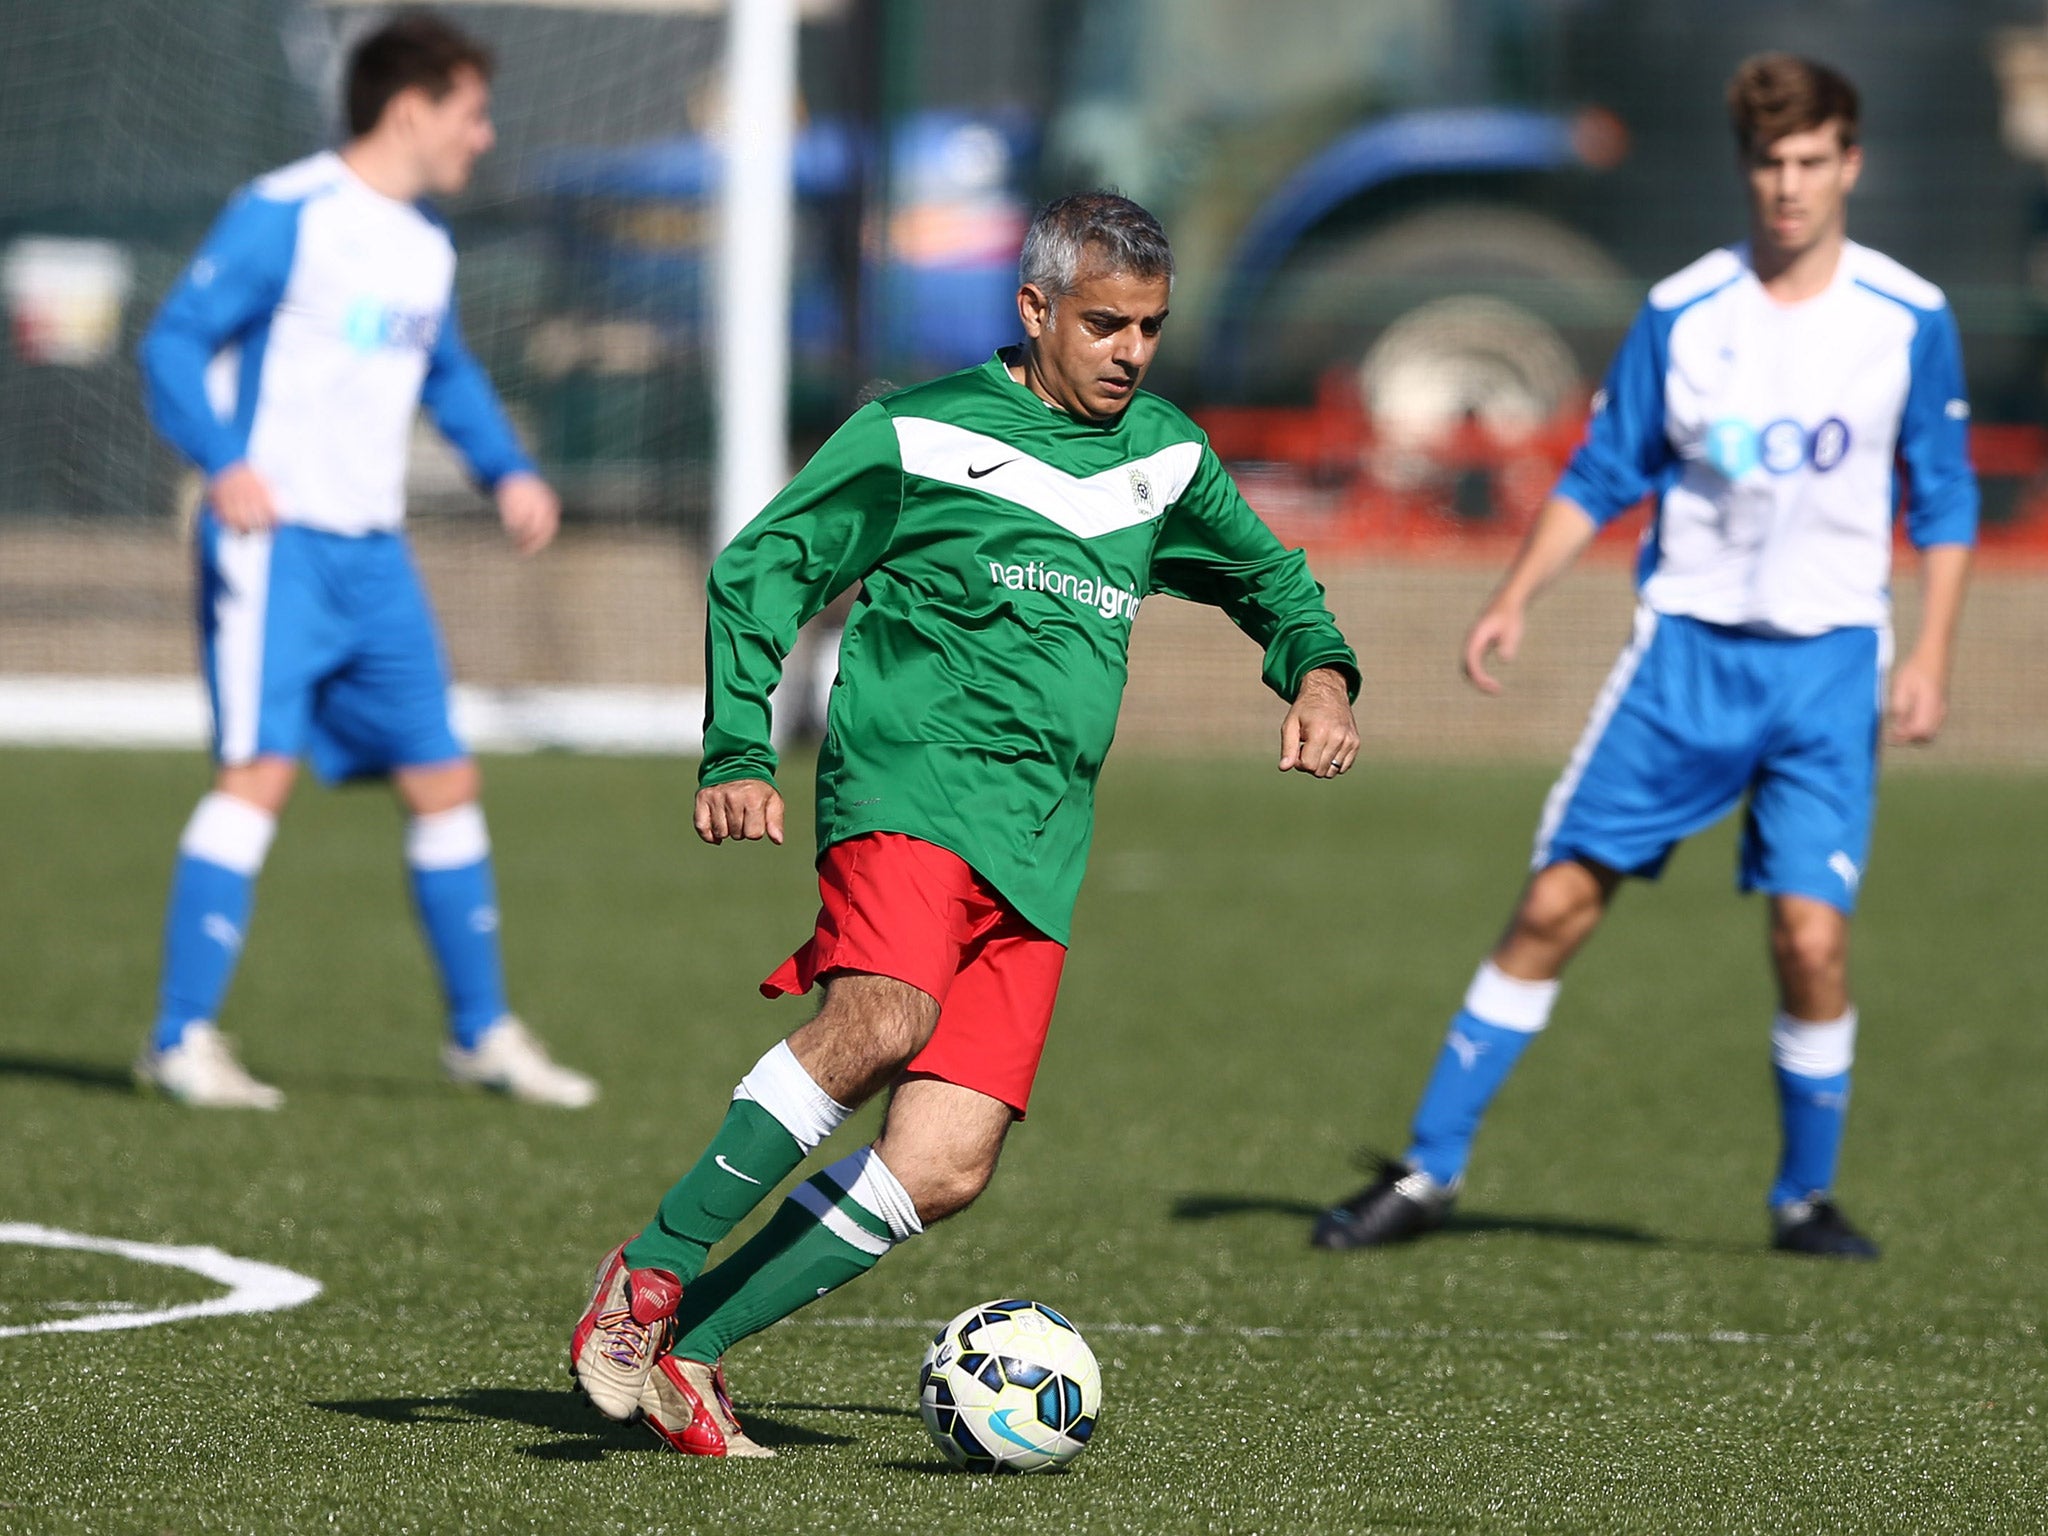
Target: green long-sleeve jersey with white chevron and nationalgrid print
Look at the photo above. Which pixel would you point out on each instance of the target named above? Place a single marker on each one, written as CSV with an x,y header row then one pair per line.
x,y
1002,550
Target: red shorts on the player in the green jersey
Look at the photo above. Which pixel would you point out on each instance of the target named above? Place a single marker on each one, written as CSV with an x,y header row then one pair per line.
x,y
904,908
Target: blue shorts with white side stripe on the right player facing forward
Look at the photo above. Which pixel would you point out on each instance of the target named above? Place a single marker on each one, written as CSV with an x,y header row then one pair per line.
x,y
1693,720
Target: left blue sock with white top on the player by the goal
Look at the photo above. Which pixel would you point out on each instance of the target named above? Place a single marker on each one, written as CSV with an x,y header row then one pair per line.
x,y
208,919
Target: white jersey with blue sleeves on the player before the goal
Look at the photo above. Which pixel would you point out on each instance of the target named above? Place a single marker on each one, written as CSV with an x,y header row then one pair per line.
x,y
304,339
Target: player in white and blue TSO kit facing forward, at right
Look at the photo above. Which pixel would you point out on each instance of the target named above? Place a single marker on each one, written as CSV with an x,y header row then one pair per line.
x,y
1775,400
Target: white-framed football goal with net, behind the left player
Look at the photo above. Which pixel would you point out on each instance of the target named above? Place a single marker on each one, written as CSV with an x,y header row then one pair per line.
x,y
671,402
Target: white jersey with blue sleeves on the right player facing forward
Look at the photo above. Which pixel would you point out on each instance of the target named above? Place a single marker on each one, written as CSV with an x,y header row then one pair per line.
x,y
1775,439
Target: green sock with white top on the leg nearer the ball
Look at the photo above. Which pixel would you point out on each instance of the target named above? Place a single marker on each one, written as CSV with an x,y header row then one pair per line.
x,y
818,1242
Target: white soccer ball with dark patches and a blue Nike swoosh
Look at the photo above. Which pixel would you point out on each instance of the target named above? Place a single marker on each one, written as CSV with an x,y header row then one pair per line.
x,y
1011,1388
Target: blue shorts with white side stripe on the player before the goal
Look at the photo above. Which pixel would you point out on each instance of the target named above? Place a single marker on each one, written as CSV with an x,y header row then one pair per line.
x,y
321,646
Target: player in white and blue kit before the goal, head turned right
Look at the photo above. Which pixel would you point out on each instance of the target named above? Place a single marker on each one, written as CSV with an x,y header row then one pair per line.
x,y
288,366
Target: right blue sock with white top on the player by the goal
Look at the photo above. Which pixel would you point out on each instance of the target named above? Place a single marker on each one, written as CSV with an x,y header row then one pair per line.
x,y
456,896
